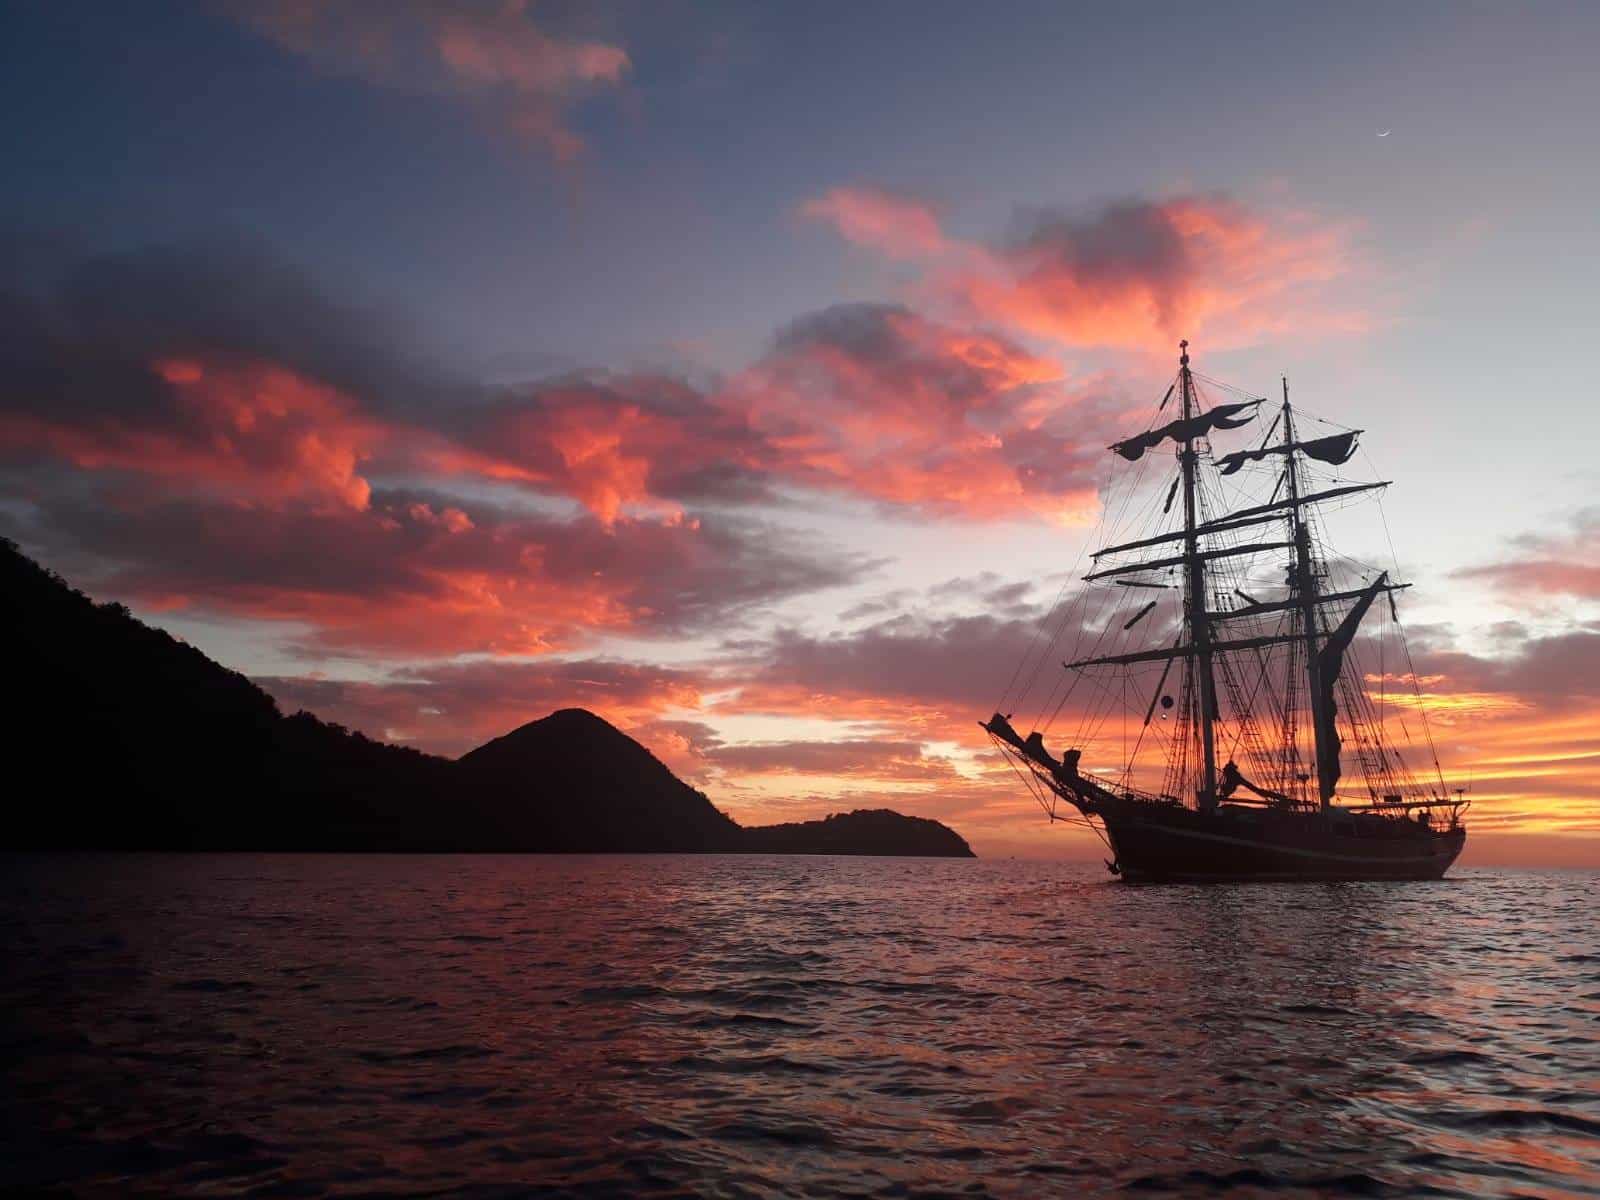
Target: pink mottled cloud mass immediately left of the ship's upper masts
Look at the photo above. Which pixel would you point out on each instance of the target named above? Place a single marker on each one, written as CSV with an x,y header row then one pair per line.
x,y
884,402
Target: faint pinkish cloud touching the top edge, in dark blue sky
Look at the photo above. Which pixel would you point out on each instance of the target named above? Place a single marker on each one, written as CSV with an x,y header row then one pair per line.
x,y
490,52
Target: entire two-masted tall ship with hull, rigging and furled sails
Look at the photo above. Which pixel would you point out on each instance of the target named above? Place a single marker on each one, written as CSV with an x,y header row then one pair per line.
x,y
1244,702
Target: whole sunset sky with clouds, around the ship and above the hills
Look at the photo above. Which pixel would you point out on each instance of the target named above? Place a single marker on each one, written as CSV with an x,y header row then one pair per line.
x,y
745,374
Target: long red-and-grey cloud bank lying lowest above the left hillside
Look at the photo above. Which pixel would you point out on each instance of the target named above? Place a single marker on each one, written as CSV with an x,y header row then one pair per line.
x,y
415,574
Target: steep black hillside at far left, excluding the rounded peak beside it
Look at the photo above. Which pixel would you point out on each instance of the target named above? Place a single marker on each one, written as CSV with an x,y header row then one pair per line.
x,y
122,737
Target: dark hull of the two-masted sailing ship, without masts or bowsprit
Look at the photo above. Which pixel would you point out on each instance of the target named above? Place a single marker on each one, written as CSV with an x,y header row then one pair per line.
x,y
1167,844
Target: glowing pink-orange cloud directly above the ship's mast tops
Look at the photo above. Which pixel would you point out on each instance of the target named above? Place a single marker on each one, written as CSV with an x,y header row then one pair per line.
x,y
1134,274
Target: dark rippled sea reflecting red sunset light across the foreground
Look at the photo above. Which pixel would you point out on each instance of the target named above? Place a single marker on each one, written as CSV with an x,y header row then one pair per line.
x,y
297,1025
